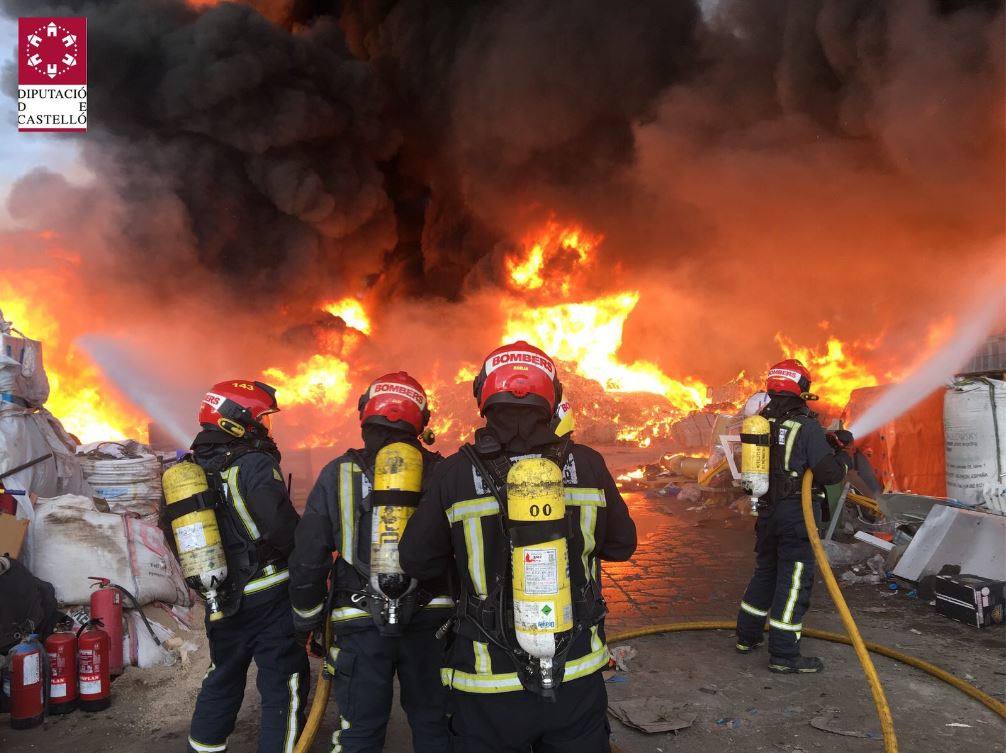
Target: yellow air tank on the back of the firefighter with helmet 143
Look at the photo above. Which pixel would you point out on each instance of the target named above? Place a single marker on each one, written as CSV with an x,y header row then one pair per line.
x,y
198,535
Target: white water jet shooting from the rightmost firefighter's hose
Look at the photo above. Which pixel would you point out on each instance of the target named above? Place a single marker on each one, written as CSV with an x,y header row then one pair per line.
x,y
934,371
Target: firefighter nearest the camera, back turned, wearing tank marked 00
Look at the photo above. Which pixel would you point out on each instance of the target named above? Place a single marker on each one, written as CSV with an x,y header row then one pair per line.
x,y
524,587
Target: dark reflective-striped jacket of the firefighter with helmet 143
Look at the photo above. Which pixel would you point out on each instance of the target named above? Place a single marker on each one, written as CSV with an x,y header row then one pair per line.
x,y
256,517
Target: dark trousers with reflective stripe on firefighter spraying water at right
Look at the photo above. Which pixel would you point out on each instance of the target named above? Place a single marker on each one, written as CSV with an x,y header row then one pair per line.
x,y
780,591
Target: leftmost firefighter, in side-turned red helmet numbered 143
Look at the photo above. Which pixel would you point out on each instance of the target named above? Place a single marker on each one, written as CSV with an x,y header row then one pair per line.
x,y
257,522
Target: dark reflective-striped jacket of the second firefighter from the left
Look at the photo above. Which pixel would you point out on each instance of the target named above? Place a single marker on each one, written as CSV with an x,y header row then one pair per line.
x,y
339,518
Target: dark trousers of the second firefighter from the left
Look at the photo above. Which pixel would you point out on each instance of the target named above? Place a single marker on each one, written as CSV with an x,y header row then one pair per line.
x,y
367,664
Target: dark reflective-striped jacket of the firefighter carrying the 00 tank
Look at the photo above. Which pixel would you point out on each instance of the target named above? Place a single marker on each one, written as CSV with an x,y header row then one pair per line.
x,y
458,527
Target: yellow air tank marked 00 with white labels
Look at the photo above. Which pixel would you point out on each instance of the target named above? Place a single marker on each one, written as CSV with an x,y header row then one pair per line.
x,y
543,601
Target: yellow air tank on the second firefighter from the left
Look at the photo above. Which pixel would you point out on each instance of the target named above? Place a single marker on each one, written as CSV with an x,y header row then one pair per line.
x,y
398,488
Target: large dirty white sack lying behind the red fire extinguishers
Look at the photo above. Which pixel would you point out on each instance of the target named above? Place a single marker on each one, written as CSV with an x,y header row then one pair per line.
x,y
71,540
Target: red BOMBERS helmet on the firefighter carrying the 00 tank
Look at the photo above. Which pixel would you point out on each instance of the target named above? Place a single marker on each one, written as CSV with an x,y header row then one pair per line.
x,y
519,373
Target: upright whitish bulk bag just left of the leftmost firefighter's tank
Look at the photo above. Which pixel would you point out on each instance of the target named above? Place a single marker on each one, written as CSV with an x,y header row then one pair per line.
x,y
126,475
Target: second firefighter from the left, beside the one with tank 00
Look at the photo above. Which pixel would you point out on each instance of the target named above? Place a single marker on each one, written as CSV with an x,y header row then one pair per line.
x,y
370,651
